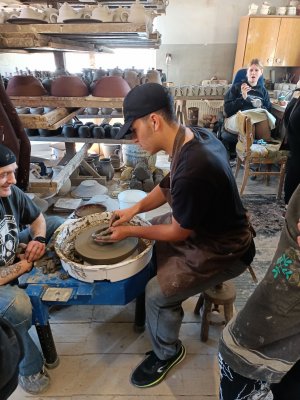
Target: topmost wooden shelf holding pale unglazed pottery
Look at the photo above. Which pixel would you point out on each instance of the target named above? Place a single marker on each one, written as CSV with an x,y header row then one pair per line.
x,y
86,28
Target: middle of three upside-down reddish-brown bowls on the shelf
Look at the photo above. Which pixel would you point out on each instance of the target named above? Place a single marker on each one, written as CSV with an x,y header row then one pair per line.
x,y
69,86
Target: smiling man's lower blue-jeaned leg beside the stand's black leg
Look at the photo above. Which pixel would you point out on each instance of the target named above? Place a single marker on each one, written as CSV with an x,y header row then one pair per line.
x,y
15,306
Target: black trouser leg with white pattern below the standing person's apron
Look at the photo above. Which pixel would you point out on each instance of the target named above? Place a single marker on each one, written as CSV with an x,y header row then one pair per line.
x,y
234,386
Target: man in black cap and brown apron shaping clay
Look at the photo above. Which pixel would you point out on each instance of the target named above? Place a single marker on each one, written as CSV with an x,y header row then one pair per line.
x,y
204,241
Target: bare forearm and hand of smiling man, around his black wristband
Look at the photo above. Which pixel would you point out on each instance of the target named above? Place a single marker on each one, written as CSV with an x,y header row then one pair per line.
x,y
35,249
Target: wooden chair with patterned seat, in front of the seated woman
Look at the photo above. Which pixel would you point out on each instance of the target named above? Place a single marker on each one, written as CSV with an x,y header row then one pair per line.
x,y
248,156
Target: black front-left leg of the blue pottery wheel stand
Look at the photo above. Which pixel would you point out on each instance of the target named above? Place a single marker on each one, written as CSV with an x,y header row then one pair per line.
x,y
47,344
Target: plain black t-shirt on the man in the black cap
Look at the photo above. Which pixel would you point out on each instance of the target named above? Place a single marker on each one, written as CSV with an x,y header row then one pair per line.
x,y
205,198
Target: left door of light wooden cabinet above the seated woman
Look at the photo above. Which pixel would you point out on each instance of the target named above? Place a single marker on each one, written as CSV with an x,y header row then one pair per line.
x,y
262,39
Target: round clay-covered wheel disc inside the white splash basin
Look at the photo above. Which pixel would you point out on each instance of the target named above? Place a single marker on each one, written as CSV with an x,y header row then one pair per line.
x,y
98,254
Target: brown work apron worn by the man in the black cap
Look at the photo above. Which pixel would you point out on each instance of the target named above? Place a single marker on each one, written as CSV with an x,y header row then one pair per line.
x,y
185,264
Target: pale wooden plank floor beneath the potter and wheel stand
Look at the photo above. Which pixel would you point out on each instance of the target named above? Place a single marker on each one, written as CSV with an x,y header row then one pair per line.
x,y
98,349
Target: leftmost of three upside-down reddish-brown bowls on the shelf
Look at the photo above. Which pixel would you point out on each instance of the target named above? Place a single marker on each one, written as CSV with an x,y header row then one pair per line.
x,y
20,85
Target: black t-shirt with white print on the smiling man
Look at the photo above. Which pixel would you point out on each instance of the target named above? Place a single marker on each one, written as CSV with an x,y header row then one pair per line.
x,y
15,210
